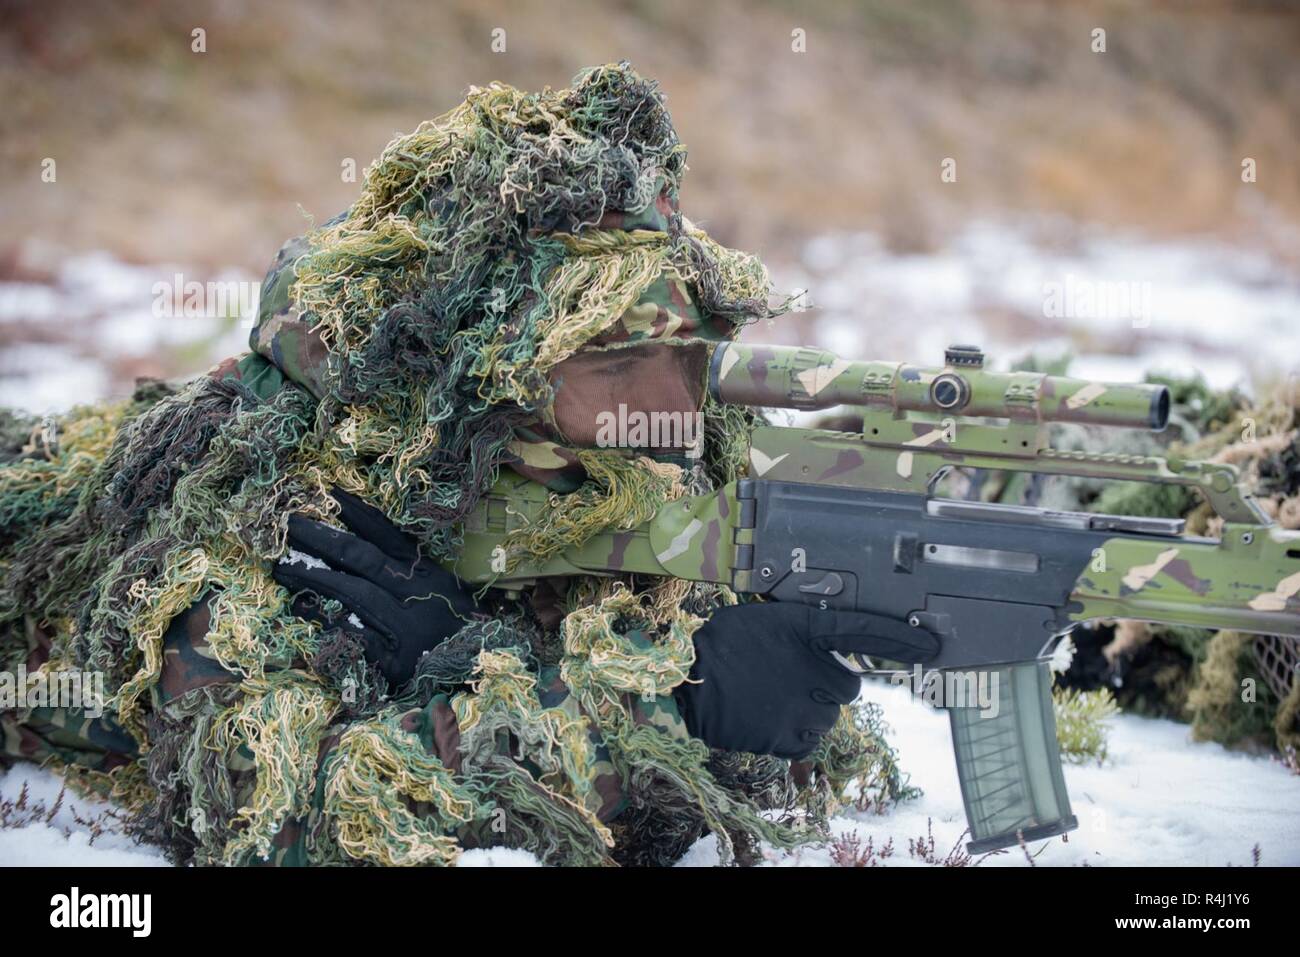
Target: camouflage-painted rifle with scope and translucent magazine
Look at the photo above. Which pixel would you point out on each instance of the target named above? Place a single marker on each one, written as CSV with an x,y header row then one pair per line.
x,y
850,521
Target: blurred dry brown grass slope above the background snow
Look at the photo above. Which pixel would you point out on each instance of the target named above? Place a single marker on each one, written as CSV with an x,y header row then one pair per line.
x,y
164,154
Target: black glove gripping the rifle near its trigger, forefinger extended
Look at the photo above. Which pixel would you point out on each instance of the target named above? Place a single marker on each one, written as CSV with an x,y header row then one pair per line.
x,y
768,681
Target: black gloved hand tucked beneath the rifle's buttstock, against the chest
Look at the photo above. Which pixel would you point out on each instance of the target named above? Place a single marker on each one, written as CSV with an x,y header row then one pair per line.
x,y
405,604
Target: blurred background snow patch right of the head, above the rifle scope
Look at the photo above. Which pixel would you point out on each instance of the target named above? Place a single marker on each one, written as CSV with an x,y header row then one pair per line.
x,y
1121,305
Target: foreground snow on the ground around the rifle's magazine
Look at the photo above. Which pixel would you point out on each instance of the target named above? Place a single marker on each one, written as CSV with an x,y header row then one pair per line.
x,y
1160,800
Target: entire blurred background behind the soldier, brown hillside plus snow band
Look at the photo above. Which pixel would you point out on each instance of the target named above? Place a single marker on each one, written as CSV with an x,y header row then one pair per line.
x,y
1072,166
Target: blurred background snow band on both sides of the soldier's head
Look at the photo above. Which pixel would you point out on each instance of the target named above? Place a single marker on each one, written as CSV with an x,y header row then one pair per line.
x,y
1123,305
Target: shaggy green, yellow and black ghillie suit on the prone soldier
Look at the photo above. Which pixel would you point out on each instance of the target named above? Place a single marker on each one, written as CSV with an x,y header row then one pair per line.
x,y
509,271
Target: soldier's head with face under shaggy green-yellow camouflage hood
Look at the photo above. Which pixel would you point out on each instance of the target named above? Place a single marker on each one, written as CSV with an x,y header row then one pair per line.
x,y
510,272
